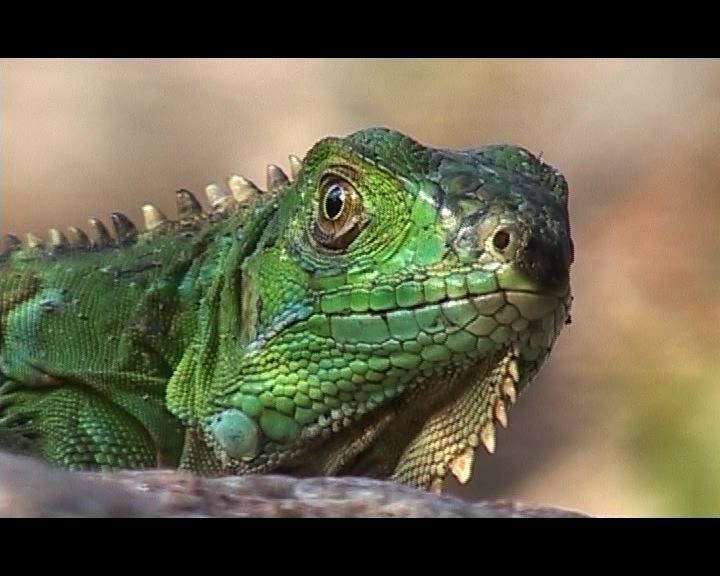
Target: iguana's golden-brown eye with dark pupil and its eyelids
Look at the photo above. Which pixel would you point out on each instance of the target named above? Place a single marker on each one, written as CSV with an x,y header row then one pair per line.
x,y
339,213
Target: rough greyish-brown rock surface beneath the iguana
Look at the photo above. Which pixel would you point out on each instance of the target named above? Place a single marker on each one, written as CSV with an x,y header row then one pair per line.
x,y
30,488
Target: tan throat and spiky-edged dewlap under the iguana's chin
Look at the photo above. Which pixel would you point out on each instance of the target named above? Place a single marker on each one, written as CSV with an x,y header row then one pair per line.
x,y
455,409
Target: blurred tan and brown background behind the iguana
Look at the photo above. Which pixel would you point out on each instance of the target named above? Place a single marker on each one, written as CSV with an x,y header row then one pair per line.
x,y
625,418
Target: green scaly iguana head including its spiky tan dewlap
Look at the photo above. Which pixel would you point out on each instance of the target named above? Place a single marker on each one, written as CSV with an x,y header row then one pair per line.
x,y
398,299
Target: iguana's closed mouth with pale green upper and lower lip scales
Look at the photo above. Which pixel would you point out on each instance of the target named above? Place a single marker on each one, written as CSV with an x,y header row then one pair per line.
x,y
462,306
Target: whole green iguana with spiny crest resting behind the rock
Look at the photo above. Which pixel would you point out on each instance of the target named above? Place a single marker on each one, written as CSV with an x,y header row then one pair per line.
x,y
374,316
